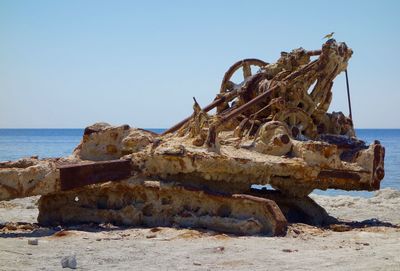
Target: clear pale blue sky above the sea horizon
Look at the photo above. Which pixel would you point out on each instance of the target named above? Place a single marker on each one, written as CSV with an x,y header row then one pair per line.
x,y
73,63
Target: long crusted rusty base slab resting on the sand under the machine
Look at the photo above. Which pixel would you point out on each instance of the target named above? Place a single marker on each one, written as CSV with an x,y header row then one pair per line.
x,y
152,204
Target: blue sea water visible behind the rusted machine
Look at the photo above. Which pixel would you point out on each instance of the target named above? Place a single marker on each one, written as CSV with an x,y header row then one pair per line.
x,y
18,143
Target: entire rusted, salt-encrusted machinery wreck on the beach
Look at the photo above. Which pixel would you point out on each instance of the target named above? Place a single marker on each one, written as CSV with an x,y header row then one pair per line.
x,y
272,128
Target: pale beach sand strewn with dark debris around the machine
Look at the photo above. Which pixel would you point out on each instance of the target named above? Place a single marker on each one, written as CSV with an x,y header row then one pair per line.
x,y
371,242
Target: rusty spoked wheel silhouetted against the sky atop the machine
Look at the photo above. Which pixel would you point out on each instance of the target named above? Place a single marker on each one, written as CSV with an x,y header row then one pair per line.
x,y
245,65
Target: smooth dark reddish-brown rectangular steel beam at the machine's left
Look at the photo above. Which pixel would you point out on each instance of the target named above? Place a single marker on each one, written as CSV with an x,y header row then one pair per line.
x,y
78,175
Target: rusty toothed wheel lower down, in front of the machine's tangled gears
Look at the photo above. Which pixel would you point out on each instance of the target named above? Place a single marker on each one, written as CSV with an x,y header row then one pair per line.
x,y
299,122
